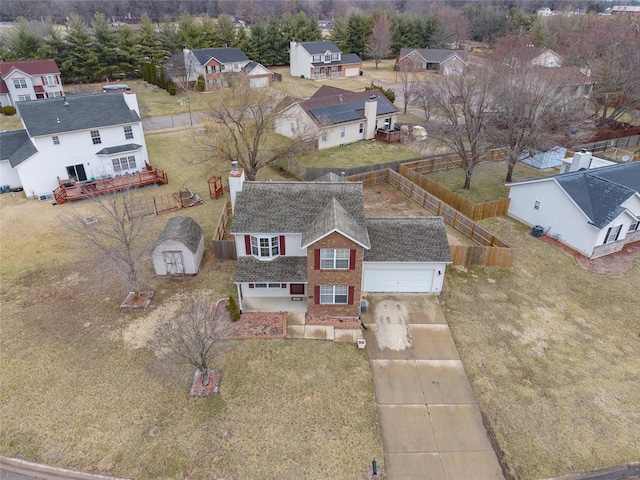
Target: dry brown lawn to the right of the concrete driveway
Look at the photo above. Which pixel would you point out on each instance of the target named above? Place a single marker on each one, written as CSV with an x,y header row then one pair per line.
x,y
552,354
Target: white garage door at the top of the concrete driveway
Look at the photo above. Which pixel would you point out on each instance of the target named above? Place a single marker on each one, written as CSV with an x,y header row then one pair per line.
x,y
398,280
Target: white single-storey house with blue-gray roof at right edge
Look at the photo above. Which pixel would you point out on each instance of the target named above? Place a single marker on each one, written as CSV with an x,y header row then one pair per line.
x,y
595,211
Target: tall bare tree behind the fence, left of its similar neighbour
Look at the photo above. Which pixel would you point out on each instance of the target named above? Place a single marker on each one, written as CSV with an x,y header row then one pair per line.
x,y
465,105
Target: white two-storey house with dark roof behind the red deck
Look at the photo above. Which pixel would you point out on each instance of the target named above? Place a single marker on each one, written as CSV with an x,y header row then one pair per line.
x,y
75,138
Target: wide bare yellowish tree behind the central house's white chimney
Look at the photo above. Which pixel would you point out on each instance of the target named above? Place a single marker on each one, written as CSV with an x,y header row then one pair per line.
x,y
240,128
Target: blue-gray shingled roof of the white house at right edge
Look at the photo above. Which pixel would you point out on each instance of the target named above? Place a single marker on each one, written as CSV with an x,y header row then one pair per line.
x,y
600,192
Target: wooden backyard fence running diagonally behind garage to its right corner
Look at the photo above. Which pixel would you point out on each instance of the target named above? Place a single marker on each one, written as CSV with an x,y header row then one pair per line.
x,y
491,251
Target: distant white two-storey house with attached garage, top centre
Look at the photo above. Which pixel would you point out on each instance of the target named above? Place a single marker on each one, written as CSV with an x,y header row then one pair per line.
x,y
317,60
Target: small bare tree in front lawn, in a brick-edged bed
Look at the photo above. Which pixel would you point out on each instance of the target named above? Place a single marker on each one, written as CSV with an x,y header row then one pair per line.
x,y
195,337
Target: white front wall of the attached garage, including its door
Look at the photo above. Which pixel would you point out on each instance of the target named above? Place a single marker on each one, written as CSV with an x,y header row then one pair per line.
x,y
395,277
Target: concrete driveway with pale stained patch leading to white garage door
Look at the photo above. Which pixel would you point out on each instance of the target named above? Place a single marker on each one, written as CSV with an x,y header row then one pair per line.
x,y
430,423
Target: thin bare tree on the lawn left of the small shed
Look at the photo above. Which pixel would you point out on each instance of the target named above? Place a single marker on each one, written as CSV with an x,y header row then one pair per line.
x,y
115,236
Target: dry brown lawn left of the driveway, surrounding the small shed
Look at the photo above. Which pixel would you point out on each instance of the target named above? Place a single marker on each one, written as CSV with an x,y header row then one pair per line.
x,y
81,388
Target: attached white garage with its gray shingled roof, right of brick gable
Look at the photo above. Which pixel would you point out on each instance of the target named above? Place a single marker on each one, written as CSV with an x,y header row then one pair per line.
x,y
407,254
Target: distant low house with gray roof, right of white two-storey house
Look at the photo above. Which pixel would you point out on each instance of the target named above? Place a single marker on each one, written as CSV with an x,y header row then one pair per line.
x,y
443,62
